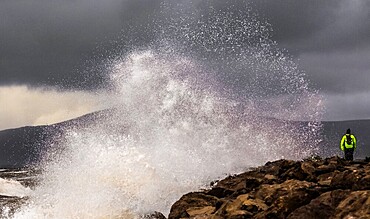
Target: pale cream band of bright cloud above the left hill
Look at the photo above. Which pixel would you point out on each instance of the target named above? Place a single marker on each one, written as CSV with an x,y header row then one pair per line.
x,y
23,106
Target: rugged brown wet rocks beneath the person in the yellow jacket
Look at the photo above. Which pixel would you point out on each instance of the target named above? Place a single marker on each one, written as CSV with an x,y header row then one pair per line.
x,y
312,188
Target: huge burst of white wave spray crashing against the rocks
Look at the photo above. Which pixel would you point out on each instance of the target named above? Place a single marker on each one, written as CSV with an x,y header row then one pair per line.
x,y
193,106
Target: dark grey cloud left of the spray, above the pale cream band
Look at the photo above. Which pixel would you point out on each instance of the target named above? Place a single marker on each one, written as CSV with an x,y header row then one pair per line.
x,y
53,42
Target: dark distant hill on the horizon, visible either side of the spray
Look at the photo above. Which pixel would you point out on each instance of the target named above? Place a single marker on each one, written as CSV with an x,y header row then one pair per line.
x,y
24,146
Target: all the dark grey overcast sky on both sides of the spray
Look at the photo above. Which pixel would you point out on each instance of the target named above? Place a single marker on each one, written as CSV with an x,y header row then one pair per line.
x,y
53,43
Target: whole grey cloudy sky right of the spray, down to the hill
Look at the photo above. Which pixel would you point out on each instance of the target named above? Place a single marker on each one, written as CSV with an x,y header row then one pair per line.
x,y
330,41
